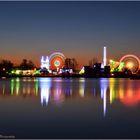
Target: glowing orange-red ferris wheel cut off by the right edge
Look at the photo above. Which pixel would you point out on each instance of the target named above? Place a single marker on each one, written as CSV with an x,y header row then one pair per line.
x,y
131,62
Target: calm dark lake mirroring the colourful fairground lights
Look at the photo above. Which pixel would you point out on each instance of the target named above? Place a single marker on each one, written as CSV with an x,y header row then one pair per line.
x,y
70,108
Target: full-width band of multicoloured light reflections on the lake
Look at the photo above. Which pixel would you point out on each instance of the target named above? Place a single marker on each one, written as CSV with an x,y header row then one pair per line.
x,y
57,90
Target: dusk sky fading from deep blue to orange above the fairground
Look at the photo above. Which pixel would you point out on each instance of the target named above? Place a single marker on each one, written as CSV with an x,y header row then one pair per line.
x,y
77,29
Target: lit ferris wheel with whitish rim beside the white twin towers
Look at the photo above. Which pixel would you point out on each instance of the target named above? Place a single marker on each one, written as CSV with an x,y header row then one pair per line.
x,y
57,60
